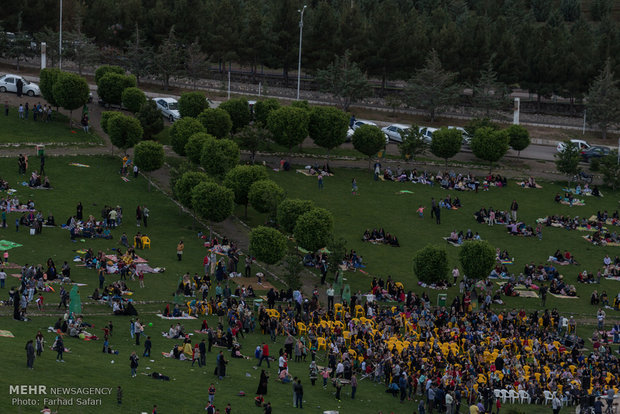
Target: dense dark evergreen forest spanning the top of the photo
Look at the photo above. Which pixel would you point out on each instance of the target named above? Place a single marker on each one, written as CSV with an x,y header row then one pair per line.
x,y
541,45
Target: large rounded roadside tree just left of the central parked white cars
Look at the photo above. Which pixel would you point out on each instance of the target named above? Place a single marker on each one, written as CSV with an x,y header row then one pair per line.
x,y
327,126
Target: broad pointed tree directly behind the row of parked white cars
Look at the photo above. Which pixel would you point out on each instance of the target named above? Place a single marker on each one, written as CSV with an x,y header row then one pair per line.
x,y
432,87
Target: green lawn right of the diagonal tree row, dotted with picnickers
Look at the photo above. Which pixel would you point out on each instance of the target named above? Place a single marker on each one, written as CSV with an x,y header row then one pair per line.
x,y
379,204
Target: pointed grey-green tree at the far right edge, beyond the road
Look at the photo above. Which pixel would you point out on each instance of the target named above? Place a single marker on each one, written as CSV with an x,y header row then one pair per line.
x,y
603,100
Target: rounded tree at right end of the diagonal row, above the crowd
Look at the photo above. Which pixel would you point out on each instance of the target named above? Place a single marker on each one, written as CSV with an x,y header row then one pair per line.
x,y
313,229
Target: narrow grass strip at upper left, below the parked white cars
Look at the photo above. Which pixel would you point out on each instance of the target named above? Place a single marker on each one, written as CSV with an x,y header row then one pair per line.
x,y
25,131
